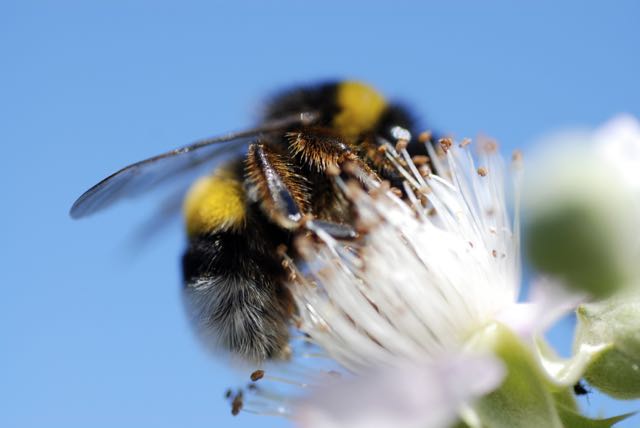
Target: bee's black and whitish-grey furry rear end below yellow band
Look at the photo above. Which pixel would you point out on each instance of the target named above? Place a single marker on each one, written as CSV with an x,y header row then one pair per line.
x,y
235,295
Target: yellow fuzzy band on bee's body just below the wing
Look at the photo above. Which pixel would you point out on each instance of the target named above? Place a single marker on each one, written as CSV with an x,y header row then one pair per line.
x,y
215,203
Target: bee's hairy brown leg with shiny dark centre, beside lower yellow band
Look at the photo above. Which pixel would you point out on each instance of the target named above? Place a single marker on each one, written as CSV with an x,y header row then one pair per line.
x,y
282,192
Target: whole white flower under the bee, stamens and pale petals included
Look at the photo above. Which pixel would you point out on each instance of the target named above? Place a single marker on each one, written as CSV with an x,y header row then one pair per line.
x,y
401,310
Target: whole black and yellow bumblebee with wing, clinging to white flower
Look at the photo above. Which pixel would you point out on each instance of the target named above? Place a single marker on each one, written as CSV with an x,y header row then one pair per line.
x,y
265,183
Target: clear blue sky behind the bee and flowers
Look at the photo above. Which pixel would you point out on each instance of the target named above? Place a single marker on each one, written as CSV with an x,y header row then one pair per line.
x,y
93,335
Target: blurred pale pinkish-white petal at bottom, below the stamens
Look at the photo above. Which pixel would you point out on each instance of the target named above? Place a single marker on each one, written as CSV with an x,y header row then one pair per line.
x,y
415,396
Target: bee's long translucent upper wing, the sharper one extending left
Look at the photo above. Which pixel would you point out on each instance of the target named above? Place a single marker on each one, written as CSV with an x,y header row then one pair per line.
x,y
141,177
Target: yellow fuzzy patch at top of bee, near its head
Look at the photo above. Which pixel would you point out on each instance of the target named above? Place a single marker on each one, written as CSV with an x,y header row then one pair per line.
x,y
360,108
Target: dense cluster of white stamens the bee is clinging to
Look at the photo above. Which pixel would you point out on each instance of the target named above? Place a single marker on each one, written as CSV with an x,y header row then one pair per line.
x,y
426,278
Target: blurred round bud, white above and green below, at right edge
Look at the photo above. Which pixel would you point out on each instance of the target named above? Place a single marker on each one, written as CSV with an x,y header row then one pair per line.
x,y
583,212
